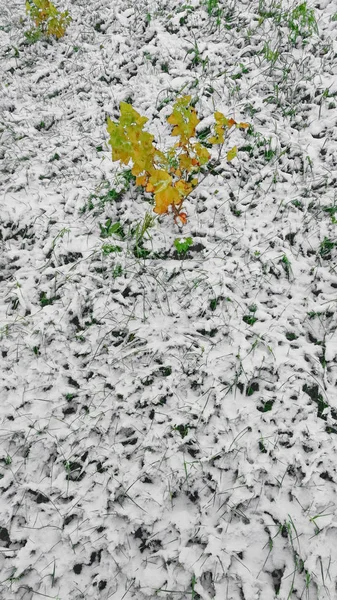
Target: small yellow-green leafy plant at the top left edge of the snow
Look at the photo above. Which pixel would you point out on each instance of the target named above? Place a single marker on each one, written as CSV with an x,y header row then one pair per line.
x,y
47,19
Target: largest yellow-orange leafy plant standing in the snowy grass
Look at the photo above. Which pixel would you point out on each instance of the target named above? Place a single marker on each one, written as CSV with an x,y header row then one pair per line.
x,y
169,176
